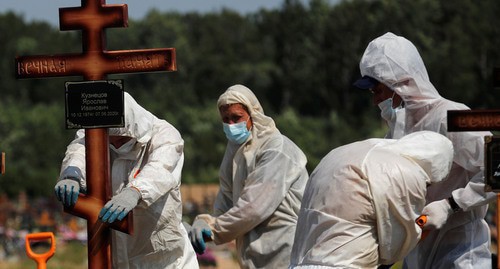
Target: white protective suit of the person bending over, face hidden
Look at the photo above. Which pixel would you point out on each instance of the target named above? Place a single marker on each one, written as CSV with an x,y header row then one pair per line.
x,y
362,200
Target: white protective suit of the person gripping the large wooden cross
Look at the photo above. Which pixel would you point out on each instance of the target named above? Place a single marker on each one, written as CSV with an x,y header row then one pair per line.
x,y
153,166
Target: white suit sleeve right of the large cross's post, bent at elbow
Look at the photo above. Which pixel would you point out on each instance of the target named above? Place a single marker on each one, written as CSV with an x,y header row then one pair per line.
x,y
161,171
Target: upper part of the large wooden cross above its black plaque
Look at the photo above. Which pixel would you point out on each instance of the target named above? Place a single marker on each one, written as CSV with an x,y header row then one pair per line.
x,y
94,63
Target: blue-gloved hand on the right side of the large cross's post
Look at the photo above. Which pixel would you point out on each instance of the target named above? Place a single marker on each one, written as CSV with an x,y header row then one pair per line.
x,y
119,206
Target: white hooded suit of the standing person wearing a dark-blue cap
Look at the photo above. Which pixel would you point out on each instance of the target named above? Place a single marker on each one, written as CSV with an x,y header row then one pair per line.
x,y
465,239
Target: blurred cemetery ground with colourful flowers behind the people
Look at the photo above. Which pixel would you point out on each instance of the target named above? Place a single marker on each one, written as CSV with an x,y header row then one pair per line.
x,y
21,216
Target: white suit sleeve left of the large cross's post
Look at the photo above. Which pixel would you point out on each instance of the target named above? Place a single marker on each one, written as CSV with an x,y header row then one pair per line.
x,y
73,164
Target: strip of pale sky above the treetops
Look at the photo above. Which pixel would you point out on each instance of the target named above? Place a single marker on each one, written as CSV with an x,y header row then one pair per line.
x,y
48,10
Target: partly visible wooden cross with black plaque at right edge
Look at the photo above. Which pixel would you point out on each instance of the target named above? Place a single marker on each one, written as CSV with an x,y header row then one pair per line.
x,y
483,120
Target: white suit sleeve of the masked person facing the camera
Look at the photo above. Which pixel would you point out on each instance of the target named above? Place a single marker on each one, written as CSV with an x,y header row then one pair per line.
x,y
265,188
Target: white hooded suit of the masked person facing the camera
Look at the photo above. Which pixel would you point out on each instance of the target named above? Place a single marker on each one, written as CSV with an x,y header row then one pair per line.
x,y
261,187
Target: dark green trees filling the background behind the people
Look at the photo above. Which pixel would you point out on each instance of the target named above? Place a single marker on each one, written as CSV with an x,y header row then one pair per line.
x,y
300,60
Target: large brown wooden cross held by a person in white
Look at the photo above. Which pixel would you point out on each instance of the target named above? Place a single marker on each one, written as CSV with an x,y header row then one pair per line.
x,y
94,63
